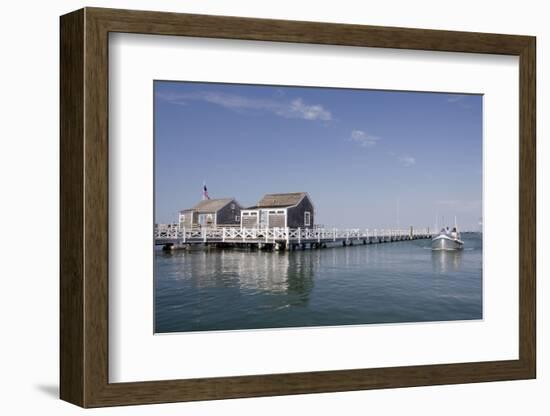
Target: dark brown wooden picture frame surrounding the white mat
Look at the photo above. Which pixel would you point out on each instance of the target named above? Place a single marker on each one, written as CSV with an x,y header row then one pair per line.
x,y
84,207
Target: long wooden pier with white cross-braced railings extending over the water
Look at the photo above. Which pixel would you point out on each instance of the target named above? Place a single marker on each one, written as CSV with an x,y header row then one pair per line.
x,y
172,236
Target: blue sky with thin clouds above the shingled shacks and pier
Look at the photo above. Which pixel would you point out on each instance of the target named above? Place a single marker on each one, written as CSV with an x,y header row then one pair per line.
x,y
367,158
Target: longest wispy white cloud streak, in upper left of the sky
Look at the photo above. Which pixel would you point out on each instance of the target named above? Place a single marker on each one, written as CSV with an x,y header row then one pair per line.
x,y
295,108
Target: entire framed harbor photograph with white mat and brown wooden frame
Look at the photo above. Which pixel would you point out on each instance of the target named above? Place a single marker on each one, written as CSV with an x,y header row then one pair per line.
x,y
255,207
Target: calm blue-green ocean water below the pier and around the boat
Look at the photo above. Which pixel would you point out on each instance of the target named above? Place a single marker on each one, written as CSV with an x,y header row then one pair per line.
x,y
203,290
